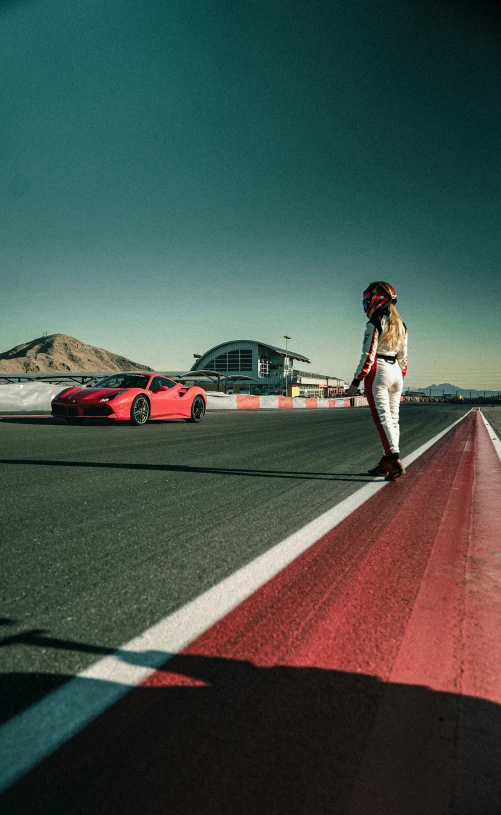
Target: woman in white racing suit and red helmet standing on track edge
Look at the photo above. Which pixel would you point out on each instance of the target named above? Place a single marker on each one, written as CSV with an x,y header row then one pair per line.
x,y
382,367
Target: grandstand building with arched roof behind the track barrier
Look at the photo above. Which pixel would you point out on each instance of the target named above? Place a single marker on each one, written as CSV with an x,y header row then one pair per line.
x,y
265,369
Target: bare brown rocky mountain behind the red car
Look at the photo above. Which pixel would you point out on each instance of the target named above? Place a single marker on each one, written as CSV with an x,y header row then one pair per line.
x,y
59,352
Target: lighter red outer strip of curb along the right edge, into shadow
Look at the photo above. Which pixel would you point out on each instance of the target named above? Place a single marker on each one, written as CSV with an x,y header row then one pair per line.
x,y
452,644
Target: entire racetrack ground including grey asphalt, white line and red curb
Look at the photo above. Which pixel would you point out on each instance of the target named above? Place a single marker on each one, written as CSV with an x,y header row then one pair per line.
x,y
359,675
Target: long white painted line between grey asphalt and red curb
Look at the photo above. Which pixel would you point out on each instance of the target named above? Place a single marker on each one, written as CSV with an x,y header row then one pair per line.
x,y
34,734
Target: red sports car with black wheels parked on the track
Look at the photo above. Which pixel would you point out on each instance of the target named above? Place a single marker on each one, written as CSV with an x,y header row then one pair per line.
x,y
131,397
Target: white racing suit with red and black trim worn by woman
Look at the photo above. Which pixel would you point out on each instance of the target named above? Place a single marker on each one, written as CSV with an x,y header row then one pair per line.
x,y
383,369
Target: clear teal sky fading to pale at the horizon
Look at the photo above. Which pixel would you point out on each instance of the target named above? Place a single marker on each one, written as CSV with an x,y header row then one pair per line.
x,y
175,174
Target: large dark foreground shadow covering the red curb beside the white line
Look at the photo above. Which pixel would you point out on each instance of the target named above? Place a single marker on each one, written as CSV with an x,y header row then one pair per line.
x,y
220,736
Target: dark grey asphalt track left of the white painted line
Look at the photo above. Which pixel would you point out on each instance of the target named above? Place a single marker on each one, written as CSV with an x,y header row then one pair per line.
x,y
107,529
